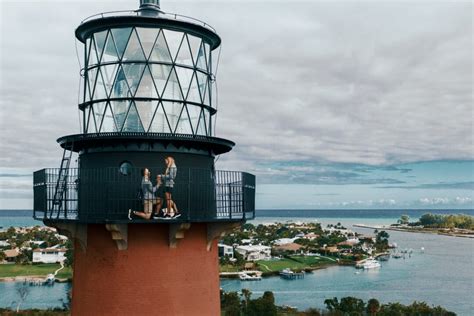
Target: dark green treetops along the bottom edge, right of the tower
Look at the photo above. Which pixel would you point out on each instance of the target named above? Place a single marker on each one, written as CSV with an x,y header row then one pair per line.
x,y
235,304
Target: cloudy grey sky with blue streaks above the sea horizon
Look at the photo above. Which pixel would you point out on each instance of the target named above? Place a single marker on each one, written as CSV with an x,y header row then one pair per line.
x,y
332,104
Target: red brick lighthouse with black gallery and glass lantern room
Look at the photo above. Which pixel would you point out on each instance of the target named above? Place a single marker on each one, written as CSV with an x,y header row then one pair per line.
x,y
148,98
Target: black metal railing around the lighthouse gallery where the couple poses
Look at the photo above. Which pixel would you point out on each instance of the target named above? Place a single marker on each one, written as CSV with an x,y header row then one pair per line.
x,y
106,195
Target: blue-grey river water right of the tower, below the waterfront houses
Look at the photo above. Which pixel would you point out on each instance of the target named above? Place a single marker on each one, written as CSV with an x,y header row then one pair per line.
x,y
442,275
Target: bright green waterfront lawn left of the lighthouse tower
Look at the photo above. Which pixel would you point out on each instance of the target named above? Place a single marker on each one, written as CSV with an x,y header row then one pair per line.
x,y
13,270
